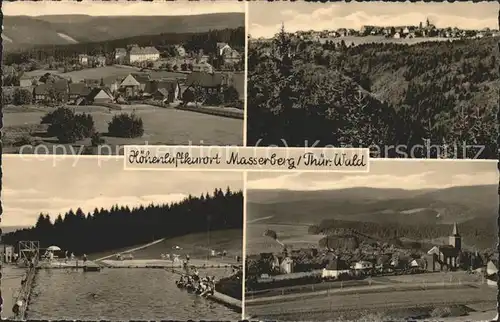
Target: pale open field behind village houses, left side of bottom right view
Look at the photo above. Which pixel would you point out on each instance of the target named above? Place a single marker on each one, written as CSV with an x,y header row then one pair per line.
x,y
294,236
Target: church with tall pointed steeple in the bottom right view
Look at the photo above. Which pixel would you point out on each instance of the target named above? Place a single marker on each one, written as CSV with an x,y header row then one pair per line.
x,y
446,257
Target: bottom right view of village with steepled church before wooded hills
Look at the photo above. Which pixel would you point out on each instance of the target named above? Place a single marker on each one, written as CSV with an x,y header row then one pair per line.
x,y
410,239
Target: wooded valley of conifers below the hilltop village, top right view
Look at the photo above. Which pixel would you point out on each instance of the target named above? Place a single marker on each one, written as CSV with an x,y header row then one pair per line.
x,y
411,98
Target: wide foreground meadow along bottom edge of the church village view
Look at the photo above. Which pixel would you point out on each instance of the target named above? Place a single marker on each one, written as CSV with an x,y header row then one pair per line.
x,y
397,303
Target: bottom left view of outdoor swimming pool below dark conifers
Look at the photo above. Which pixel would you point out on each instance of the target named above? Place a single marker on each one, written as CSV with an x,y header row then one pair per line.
x,y
84,239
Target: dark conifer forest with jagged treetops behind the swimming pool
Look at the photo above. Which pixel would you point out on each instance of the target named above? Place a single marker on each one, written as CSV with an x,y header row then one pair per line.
x,y
122,226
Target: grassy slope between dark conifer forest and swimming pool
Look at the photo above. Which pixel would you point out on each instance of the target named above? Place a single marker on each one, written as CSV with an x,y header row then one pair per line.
x,y
196,245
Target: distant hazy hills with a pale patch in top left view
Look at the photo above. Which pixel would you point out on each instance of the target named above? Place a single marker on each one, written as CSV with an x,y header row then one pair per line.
x,y
25,32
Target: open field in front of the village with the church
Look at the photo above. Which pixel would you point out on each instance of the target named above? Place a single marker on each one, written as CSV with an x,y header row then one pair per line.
x,y
386,294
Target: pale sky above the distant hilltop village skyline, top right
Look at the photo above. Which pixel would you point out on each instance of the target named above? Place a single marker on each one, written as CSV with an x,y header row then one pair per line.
x,y
265,18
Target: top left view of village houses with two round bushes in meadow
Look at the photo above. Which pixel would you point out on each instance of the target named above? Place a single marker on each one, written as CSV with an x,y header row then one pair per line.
x,y
91,77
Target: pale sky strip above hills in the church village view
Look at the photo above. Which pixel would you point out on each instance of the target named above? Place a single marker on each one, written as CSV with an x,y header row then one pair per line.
x,y
400,174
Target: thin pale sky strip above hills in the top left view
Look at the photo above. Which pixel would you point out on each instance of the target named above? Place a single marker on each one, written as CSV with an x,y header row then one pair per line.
x,y
120,8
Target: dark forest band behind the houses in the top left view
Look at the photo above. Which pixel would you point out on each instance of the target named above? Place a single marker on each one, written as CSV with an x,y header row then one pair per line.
x,y
192,42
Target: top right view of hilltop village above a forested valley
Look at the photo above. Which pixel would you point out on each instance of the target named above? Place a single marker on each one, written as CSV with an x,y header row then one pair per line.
x,y
407,80
